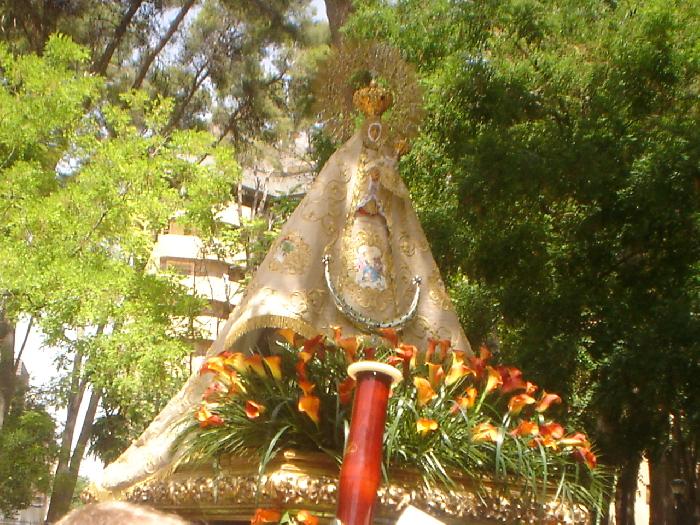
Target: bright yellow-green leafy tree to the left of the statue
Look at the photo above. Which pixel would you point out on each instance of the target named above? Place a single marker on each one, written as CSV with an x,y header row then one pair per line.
x,y
84,195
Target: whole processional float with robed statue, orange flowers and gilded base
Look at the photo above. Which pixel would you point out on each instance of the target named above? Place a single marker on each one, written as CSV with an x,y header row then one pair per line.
x,y
352,263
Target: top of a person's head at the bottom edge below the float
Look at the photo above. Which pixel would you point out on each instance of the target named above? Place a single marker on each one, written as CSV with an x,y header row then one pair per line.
x,y
119,513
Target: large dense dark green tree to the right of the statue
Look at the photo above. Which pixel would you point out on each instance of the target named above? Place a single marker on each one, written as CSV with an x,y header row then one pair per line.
x,y
557,177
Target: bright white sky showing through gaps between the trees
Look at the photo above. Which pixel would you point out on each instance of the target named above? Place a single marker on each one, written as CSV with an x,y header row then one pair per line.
x,y
39,360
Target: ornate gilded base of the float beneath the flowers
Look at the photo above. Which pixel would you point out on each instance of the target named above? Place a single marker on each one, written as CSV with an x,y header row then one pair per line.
x,y
294,481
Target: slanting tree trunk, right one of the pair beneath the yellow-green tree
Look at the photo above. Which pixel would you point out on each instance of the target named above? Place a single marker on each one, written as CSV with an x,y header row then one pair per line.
x,y
63,489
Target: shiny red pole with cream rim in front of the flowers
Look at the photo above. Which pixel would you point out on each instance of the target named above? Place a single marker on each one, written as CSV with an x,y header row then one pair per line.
x,y
360,473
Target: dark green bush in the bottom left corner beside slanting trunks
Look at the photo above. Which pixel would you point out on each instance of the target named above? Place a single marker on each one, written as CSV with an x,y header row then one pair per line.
x,y
27,452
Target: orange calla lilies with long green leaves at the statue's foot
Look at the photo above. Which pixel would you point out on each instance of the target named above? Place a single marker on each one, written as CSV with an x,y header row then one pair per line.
x,y
452,415
